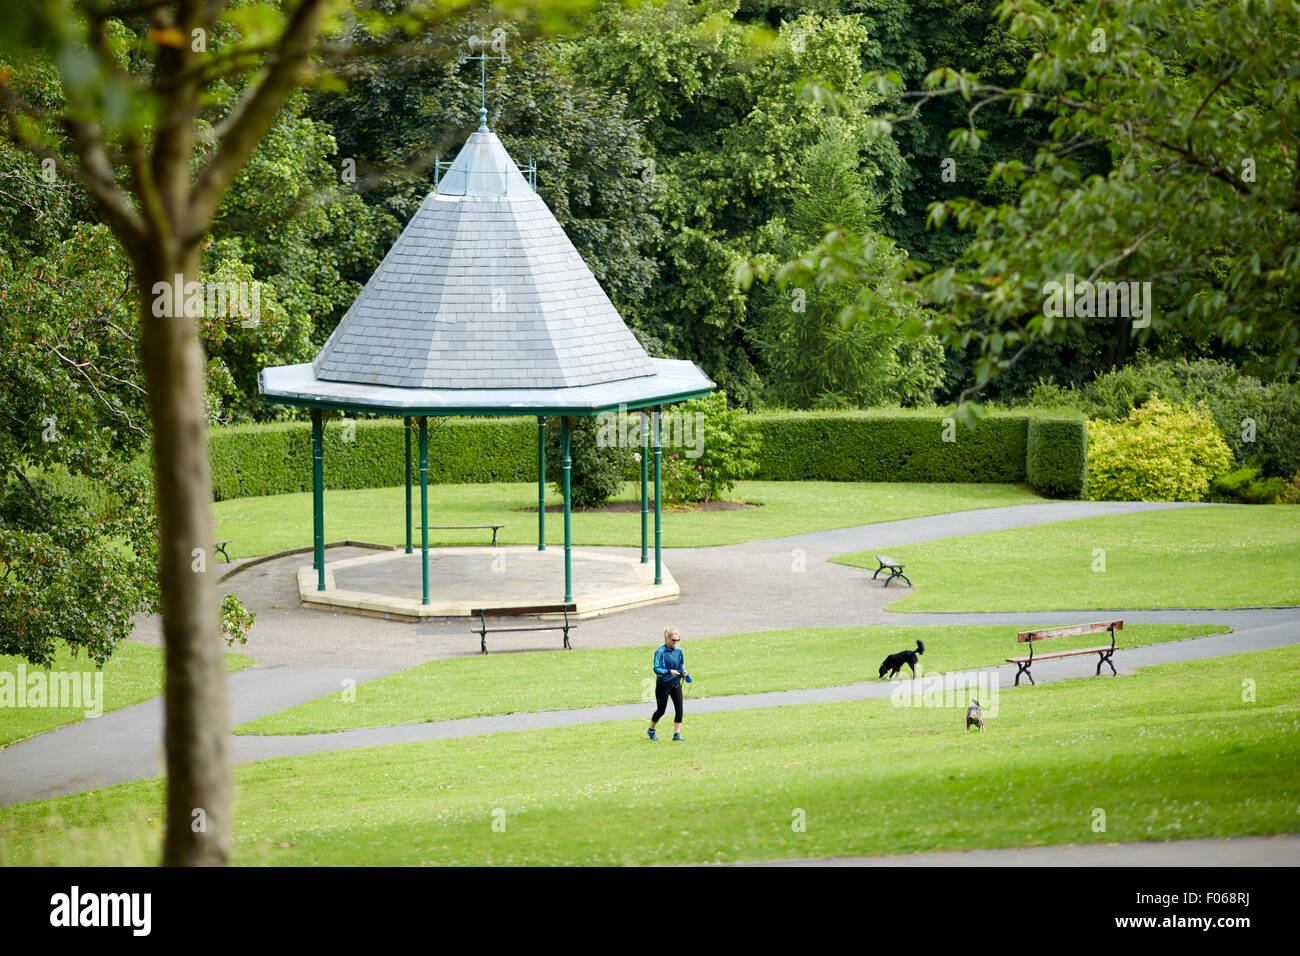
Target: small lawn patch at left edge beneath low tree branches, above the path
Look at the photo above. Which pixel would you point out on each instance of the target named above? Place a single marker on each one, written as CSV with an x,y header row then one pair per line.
x,y
135,673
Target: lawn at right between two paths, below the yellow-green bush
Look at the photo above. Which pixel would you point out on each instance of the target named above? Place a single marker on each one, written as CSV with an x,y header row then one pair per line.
x,y
1214,557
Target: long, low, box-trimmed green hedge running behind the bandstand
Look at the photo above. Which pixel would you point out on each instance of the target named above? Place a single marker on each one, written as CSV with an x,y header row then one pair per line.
x,y
1046,449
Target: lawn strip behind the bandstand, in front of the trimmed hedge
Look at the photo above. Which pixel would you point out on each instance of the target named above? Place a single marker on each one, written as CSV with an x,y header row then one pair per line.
x,y
263,526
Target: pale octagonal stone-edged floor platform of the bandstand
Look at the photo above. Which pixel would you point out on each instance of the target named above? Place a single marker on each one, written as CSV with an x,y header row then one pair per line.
x,y
388,585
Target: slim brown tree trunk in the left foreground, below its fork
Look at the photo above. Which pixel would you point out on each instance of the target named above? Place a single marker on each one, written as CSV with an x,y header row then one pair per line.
x,y
197,710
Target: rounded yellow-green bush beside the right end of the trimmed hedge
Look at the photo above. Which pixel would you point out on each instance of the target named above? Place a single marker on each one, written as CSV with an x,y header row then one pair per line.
x,y
1159,453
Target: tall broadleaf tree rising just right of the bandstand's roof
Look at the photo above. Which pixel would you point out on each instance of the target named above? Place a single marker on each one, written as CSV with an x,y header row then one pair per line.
x,y
731,139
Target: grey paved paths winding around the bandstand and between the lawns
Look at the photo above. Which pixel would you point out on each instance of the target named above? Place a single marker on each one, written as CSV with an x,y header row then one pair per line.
x,y
313,652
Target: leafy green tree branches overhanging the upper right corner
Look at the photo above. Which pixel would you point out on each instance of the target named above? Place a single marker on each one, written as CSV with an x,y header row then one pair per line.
x,y
1194,107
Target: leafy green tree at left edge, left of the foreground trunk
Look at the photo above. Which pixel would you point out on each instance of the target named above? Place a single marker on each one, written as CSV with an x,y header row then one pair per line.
x,y
77,529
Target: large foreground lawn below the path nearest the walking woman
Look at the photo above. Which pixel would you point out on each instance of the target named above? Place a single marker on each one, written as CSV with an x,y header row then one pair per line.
x,y
1173,752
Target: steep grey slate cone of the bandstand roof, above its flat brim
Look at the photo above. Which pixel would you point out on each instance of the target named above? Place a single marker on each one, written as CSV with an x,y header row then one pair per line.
x,y
483,291
